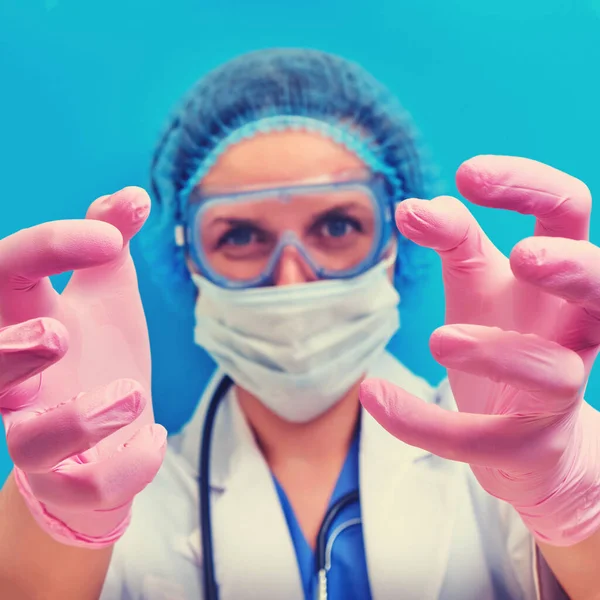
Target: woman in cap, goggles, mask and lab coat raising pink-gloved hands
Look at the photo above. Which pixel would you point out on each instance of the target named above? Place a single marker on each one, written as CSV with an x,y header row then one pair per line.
x,y
275,186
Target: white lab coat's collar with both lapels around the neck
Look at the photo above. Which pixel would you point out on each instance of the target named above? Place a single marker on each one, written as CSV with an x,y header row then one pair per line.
x,y
406,503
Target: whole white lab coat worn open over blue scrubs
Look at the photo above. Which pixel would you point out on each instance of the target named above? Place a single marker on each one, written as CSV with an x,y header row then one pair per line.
x,y
430,531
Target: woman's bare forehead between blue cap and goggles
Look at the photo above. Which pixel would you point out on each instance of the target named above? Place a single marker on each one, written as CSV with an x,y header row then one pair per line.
x,y
281,158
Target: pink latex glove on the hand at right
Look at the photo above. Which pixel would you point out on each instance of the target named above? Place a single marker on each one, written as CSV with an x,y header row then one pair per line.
x,y
520,339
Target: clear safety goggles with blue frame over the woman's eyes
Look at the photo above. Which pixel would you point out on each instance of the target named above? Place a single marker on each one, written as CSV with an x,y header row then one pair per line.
x,y
339,229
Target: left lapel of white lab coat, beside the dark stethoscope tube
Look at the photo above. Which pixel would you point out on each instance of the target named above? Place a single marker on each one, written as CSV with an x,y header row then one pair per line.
x,y
254,554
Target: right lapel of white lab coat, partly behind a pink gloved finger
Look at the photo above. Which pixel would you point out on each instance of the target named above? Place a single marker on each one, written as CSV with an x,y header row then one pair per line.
x,y
408,503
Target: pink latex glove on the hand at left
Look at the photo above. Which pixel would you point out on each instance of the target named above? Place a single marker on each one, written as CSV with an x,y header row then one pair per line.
x,y
75,372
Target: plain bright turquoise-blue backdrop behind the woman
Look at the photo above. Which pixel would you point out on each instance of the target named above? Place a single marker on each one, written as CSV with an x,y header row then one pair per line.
x,y
85,87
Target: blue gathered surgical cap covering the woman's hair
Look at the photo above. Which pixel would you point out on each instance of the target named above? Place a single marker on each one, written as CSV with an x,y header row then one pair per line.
x,y
268,90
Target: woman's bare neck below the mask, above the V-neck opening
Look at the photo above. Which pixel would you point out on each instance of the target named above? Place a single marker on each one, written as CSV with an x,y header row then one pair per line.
x,y
325,437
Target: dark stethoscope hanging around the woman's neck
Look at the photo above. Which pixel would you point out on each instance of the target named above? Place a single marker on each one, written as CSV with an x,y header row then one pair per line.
x,y
324,540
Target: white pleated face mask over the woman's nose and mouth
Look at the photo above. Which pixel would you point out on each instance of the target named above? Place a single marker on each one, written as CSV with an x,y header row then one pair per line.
x,y
298,348
